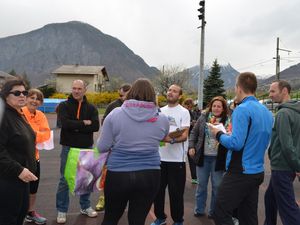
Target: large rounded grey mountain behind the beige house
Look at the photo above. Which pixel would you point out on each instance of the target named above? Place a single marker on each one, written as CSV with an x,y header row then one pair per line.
x,y
39,52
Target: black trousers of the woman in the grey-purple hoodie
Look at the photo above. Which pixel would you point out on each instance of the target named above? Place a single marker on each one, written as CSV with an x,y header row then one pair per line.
x,y
137,188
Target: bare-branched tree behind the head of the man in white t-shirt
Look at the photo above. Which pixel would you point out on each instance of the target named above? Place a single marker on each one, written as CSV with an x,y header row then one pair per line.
x,y
171,75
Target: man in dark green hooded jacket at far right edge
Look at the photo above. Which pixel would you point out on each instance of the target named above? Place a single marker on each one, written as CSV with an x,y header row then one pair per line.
x,y
284,154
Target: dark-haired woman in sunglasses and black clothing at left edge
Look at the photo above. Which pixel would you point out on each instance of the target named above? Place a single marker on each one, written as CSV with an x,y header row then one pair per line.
x,y
17,159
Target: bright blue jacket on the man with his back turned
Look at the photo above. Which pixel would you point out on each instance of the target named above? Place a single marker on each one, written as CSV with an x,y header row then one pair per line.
x,y
251,132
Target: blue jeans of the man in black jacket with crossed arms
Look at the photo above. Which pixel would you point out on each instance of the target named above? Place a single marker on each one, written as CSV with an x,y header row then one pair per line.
x,y
62,194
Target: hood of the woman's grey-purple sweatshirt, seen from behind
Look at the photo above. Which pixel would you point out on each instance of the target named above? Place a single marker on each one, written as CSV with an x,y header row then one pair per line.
x,y
140,111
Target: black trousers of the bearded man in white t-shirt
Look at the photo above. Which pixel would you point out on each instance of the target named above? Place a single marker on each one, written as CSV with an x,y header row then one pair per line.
x,y
173,175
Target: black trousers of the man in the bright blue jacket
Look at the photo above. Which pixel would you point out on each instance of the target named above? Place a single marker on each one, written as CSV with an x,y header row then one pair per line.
x,y
238,191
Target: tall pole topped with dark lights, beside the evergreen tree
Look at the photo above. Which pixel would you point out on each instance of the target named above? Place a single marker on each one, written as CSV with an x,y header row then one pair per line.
x,y
201,73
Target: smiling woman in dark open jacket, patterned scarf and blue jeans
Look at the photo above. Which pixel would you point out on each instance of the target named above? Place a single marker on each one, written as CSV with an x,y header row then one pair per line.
x,y
208,154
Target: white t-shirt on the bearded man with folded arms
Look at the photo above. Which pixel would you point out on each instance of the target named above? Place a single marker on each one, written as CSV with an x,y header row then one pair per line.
x,y
179,117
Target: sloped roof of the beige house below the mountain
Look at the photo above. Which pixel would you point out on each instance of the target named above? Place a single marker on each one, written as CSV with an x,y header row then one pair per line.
x,y
81,70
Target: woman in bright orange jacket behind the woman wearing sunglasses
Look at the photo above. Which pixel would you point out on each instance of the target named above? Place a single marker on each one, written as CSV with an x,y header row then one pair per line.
x,y
39,124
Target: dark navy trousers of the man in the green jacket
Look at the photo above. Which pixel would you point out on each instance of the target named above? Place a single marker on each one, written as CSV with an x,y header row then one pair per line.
x,y
280,196
